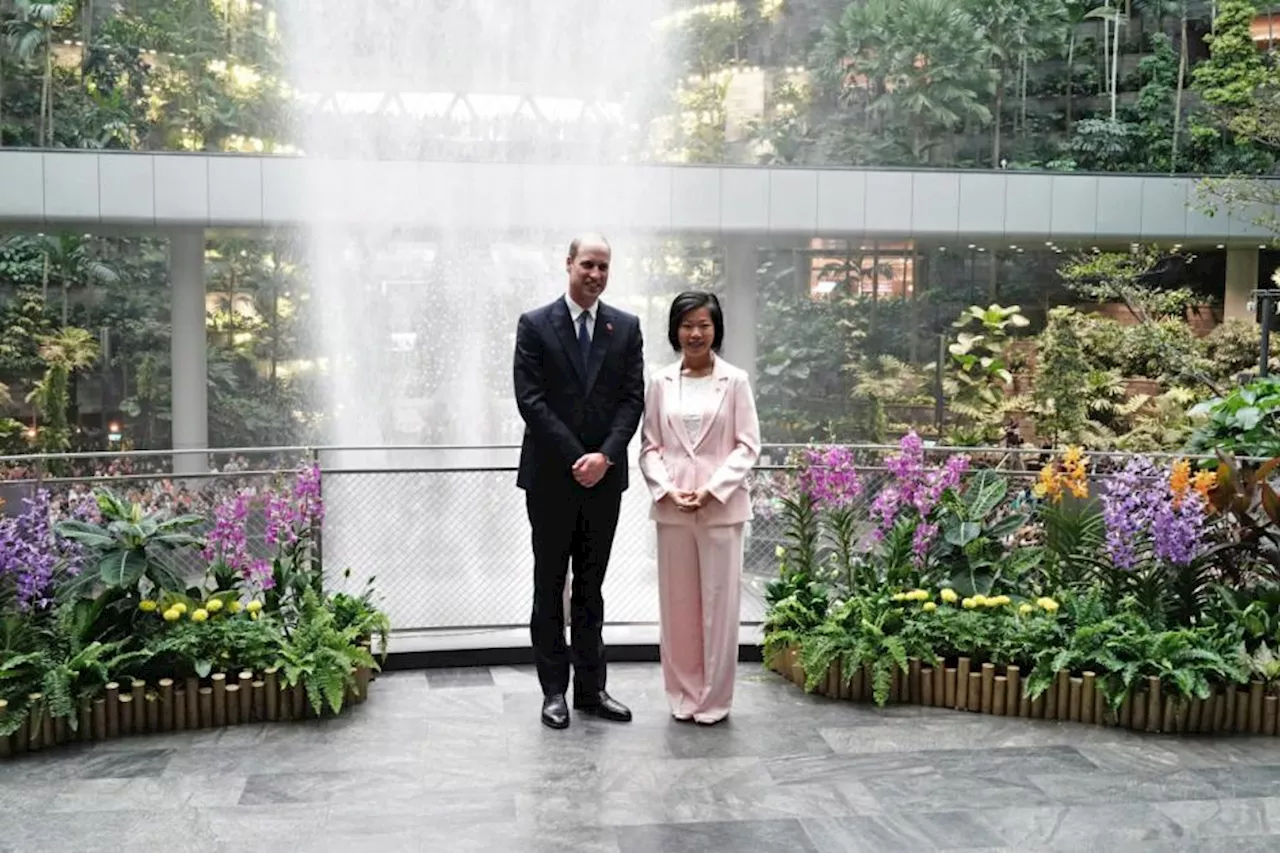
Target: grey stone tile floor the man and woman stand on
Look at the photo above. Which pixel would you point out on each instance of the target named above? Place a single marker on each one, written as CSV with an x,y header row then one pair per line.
x,y
458,763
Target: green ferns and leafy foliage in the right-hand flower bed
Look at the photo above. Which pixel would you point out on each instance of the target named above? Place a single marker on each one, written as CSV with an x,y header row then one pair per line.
x,y
1192,628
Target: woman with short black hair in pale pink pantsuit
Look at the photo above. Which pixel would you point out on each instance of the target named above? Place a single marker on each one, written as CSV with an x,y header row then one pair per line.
x,y
700,441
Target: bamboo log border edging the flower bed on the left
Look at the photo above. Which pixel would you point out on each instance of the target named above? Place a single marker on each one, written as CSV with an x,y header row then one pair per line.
x,y
136,708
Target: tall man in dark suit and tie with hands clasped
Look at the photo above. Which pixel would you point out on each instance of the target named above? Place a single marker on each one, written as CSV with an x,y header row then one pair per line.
x,y
580,390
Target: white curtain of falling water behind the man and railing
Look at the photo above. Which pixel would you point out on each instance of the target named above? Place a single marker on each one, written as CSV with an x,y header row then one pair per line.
x,y
418,323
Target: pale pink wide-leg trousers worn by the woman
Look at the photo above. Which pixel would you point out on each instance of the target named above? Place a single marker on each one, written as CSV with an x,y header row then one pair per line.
x,y
700,592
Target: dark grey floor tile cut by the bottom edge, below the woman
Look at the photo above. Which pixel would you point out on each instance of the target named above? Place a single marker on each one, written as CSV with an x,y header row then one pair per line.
x,y
758,837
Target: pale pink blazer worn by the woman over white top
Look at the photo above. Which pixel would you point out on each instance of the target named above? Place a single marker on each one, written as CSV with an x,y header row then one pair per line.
x,y
719,459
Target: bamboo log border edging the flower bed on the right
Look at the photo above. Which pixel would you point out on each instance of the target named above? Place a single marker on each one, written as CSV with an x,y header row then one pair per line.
x,y
964,685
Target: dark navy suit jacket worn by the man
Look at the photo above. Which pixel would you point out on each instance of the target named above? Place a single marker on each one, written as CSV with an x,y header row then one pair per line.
x,y
572,409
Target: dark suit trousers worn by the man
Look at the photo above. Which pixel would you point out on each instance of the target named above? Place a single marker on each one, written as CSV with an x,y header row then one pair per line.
x,y
572,528
